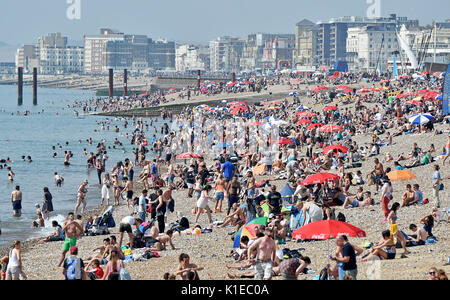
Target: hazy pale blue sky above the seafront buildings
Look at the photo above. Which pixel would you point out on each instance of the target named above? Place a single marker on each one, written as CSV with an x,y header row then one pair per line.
x,y
23,21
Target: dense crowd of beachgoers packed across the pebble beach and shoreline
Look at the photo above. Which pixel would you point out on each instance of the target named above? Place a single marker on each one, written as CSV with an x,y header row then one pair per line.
x,y
278,143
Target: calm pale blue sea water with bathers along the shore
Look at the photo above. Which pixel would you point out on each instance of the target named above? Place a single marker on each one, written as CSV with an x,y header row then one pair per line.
x,y
50,123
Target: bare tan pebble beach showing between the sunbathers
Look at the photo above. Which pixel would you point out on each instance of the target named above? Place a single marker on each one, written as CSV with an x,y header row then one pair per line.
x,y
211,250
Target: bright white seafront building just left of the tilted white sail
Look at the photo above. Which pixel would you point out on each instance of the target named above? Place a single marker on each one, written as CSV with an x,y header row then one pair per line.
x,y
369,46
